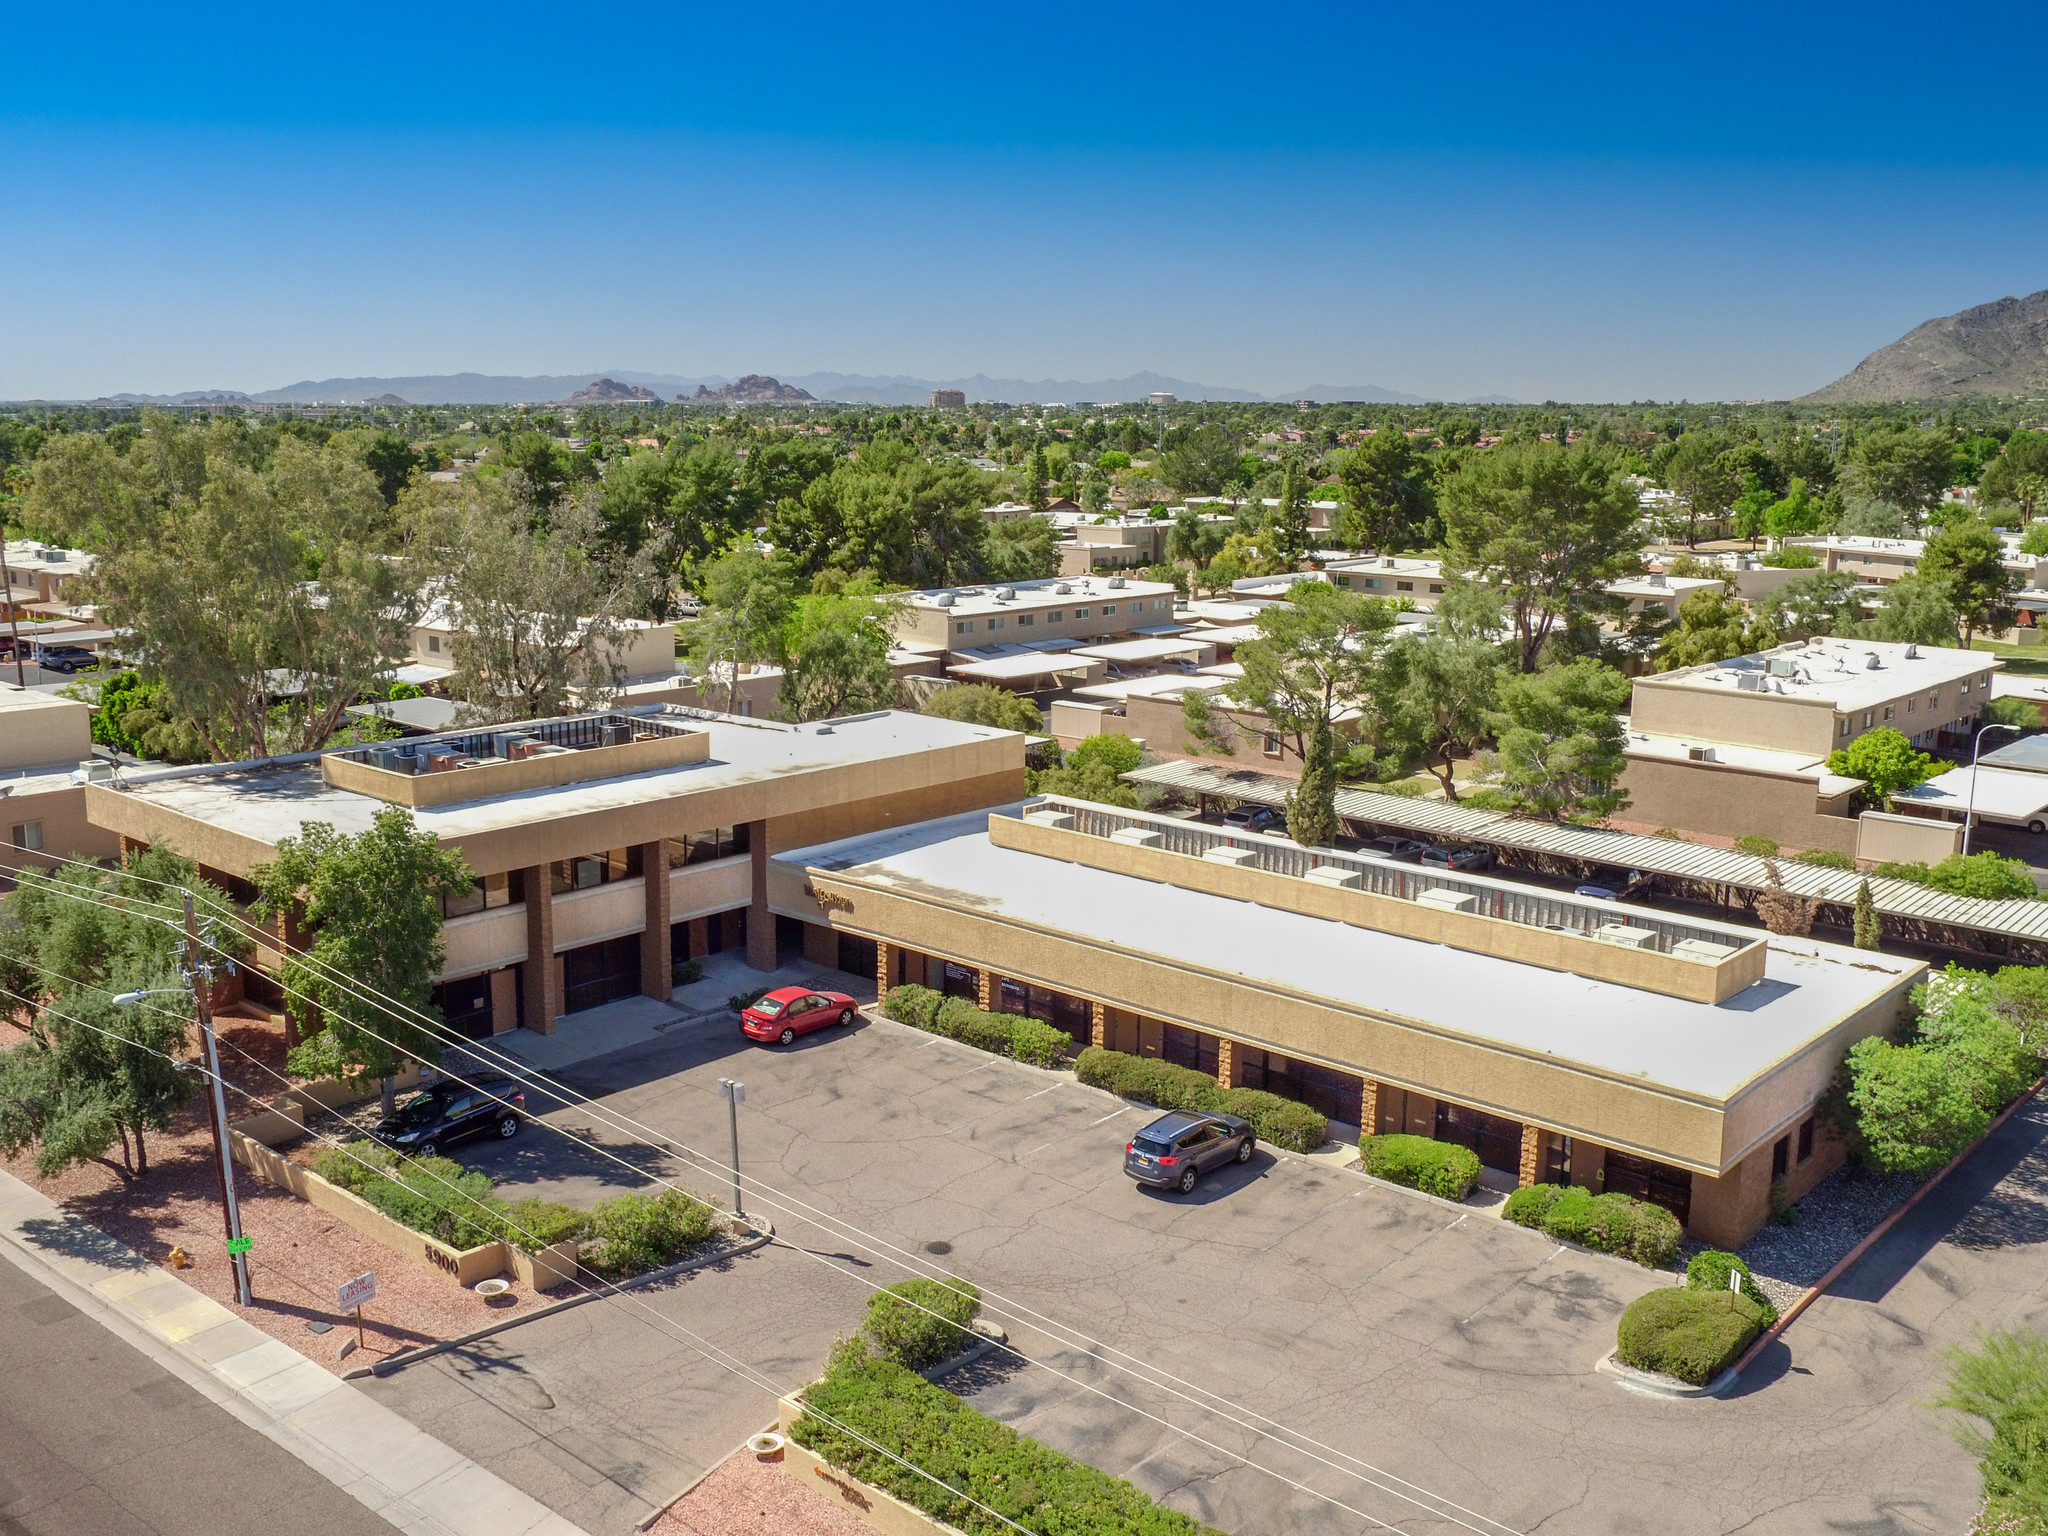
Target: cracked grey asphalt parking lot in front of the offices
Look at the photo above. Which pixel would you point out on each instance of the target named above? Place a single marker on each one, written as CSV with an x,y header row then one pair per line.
x,y
1289,1351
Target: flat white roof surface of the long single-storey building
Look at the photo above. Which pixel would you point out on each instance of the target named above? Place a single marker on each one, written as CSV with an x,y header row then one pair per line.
x,y
1703,1050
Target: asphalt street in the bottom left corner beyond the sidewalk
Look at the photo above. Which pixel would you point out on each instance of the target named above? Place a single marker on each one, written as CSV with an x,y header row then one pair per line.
x,y
99,1441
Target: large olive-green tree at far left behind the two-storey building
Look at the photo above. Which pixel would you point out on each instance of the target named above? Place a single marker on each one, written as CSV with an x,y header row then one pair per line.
x,y
259,601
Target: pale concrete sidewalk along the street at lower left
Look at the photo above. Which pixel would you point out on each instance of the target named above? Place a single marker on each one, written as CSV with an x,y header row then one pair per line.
x,y
368,1451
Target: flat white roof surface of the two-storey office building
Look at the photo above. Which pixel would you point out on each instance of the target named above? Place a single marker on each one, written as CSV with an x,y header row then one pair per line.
x,y
273,804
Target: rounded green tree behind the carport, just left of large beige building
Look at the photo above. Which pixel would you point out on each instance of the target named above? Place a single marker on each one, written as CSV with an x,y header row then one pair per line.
x,y
1560,744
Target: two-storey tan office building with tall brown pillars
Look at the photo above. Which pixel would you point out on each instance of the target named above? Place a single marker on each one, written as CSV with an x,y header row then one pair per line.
x,y
607,847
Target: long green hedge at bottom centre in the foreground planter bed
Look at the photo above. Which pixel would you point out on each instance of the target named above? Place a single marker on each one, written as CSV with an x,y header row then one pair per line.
x,y
972,1463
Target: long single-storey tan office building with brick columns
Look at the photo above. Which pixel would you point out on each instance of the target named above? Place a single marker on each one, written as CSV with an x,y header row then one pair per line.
x,y
1562,1039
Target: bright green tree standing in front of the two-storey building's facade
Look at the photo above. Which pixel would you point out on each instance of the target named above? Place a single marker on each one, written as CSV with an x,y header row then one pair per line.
x,y
372,904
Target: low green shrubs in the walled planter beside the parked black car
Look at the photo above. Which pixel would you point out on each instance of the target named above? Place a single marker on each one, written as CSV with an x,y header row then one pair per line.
x,y
443,1199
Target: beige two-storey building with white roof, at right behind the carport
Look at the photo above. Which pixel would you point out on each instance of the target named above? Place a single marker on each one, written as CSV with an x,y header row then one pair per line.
x,y
1742,746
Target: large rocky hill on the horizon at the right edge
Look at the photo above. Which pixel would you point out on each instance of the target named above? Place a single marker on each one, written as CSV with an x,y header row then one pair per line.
x,y
1996,349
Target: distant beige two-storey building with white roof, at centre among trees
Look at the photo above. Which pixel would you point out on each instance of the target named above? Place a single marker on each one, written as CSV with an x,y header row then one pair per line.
x,y
1052,609
